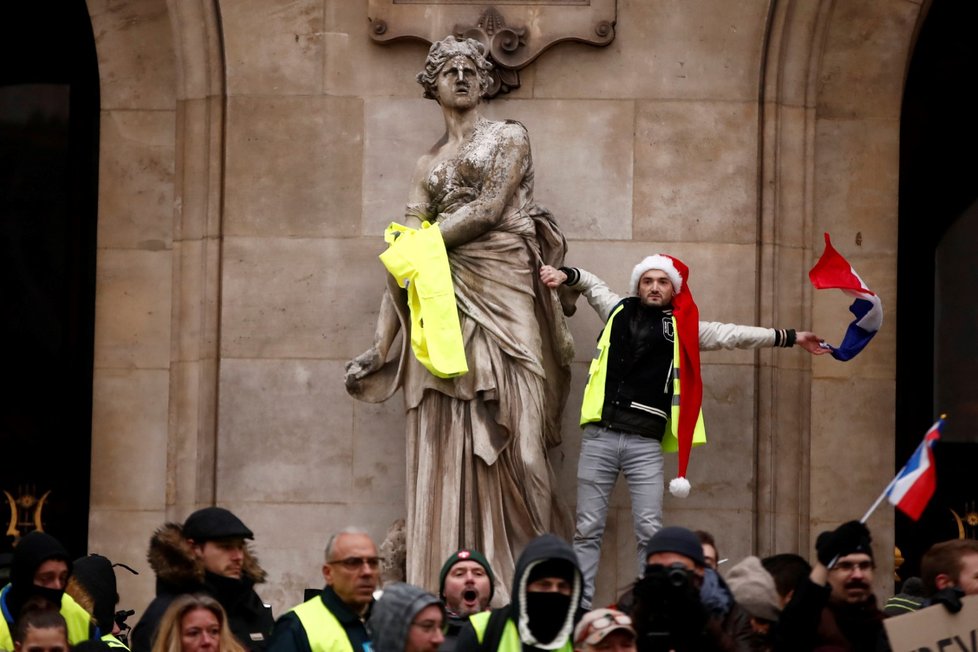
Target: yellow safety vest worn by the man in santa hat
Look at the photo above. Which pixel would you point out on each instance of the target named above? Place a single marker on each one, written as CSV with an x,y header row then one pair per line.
x,y
597,376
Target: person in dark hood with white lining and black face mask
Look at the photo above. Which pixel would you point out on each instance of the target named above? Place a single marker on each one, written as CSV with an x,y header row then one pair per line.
x,y
546,595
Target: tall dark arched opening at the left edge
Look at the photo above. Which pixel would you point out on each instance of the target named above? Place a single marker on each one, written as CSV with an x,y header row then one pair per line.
x,y
49,113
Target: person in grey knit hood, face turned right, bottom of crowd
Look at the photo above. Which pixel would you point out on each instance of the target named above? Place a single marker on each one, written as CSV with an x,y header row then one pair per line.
x,y
406,619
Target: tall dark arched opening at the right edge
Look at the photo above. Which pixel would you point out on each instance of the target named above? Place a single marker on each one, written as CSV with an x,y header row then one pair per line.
x,y
937,302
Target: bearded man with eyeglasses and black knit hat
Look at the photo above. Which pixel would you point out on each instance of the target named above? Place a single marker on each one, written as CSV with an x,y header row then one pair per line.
x,y
836,606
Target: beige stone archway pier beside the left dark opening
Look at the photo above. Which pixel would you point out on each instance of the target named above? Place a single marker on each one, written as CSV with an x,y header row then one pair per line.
x,y
157,314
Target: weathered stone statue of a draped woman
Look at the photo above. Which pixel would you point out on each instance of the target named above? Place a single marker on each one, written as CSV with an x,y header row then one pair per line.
x,y
478,474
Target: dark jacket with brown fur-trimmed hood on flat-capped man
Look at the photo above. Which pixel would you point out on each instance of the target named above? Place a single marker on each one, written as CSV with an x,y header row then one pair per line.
x,y
179,572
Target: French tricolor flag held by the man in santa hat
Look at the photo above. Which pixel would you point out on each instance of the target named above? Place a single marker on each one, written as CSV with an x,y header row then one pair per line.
x,y
834,271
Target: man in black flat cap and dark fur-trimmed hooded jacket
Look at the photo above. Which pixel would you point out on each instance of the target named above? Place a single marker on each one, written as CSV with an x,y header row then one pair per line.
x,y
207,554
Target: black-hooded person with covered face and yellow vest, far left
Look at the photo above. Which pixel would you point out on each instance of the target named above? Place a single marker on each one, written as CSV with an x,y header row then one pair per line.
x,y
40,569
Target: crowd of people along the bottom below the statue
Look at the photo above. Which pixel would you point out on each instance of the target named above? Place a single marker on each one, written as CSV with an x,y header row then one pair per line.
x,y
681,602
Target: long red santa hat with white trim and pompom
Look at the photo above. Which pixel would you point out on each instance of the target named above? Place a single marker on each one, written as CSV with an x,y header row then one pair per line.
x,y
690,381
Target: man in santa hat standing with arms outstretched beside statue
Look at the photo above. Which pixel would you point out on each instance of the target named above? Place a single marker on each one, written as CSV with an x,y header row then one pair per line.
x,y
633,408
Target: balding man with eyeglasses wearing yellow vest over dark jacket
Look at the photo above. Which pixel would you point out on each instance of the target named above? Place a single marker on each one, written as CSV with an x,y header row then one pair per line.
x,y
333,621
